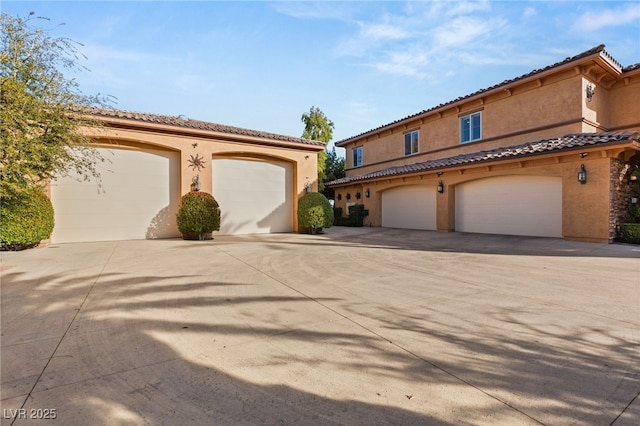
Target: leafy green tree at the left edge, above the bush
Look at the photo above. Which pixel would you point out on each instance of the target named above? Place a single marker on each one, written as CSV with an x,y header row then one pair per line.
x,y
42,112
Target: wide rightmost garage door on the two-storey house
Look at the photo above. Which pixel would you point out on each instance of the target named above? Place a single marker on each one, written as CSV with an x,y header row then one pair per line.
x,y
512,205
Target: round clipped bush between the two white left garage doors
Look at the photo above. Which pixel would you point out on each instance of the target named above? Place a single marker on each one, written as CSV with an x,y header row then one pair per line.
x,y
198,215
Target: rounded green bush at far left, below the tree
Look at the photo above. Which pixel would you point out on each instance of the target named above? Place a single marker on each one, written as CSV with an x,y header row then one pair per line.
x,y
25,220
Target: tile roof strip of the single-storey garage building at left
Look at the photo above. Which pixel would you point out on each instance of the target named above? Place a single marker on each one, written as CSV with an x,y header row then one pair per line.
x,y
188,123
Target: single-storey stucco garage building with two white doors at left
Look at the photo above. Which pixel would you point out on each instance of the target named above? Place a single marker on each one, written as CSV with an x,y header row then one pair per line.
x,y
152,160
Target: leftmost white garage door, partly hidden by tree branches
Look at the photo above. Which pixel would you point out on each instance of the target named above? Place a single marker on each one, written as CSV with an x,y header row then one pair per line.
x,y
138,198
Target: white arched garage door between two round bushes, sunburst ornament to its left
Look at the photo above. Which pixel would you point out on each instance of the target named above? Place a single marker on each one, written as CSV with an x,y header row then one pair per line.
x,y
255,197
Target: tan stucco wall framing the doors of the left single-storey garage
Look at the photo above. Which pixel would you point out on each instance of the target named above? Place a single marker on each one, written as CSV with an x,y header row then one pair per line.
x,y
303,159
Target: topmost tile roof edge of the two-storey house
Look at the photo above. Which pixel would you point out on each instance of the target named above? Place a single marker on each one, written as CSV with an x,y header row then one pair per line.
x,y
598,49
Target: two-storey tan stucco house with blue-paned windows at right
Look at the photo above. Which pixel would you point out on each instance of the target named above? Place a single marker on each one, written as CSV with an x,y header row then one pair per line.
x,y
546,154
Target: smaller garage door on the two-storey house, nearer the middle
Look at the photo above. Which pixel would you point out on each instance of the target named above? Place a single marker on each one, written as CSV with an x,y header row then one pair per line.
x,y
411,207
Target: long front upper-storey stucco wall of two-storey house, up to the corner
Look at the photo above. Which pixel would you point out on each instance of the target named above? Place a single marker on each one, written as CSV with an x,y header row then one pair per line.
x,y
525,115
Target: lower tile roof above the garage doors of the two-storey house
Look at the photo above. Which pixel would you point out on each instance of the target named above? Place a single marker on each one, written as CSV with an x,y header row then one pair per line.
x,y
568,142
